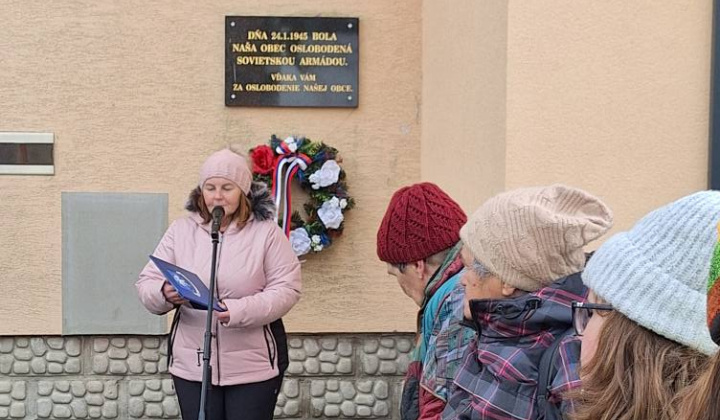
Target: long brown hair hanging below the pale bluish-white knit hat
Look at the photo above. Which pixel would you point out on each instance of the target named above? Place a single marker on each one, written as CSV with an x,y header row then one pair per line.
x,y
634,374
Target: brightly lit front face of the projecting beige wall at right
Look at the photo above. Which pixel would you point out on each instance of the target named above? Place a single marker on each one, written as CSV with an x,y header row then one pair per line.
x,y
611,96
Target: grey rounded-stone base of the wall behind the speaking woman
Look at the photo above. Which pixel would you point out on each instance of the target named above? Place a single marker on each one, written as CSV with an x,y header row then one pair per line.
x,y
125,377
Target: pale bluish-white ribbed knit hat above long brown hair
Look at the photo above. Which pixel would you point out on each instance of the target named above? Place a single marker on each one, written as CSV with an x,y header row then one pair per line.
x,y
656,274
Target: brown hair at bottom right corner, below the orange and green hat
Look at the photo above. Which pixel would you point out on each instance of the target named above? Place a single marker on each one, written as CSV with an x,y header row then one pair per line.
x,y
701,400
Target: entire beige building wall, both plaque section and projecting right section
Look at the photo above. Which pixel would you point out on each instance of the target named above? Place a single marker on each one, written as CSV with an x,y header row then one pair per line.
x,y
478,97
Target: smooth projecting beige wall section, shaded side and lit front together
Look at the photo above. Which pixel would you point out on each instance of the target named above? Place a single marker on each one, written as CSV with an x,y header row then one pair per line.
x,y
610,96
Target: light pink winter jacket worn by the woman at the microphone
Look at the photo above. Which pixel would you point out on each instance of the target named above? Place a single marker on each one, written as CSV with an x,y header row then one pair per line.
x,y
258,278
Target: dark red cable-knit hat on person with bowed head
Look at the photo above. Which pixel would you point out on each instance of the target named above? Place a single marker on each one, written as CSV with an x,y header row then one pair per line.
x,y
421,220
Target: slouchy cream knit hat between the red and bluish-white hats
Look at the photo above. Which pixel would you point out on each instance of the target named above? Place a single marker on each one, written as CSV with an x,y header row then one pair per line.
x,y
530,237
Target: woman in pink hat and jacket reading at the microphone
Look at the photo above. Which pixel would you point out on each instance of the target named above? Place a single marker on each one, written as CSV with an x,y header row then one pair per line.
x,y
257,281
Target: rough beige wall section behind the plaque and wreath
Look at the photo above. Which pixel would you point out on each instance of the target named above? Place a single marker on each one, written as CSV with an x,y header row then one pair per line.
x,y
134,94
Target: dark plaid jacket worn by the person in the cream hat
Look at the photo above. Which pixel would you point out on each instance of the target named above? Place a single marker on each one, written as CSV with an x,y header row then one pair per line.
x,y
498,377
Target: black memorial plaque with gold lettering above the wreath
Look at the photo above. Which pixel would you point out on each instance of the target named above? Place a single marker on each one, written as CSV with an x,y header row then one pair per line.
x,y
291,61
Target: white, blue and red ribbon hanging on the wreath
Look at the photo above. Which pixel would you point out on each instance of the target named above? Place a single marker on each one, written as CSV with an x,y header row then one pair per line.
x,y
285,170
